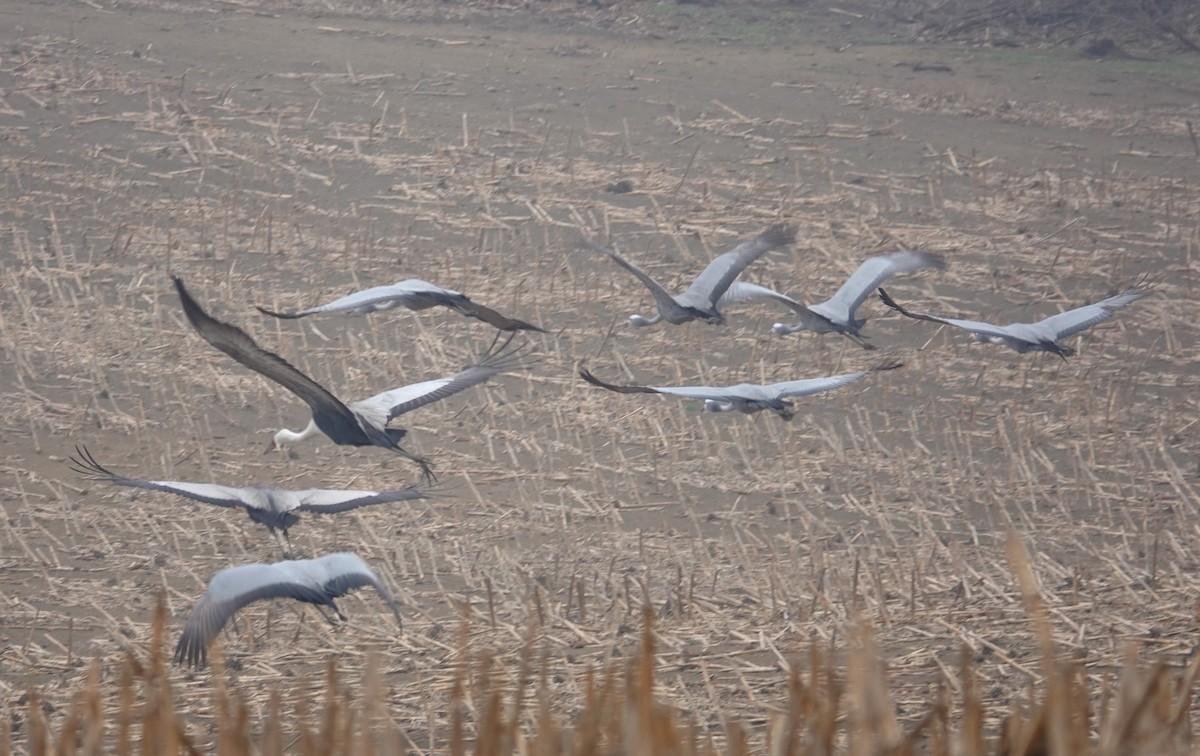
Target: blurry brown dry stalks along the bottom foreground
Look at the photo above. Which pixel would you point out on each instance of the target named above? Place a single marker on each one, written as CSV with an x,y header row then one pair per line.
x,y
825,712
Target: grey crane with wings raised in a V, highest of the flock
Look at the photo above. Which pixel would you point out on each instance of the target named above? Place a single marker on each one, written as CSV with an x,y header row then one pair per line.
x,y
707,293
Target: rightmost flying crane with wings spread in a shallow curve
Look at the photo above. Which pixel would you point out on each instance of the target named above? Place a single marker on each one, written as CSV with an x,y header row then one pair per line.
x,y
1041,337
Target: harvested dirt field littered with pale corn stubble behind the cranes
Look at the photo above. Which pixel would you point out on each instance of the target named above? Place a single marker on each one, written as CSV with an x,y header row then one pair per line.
x,y
285,154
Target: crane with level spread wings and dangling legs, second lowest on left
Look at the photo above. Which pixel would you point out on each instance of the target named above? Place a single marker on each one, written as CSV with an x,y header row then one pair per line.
x,y
274,508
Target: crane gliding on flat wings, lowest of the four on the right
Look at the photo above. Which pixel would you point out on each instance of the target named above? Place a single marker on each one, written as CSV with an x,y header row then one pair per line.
x,y
747,398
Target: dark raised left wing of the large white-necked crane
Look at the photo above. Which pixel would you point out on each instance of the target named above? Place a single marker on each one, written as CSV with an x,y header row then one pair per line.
x,y
235,343
